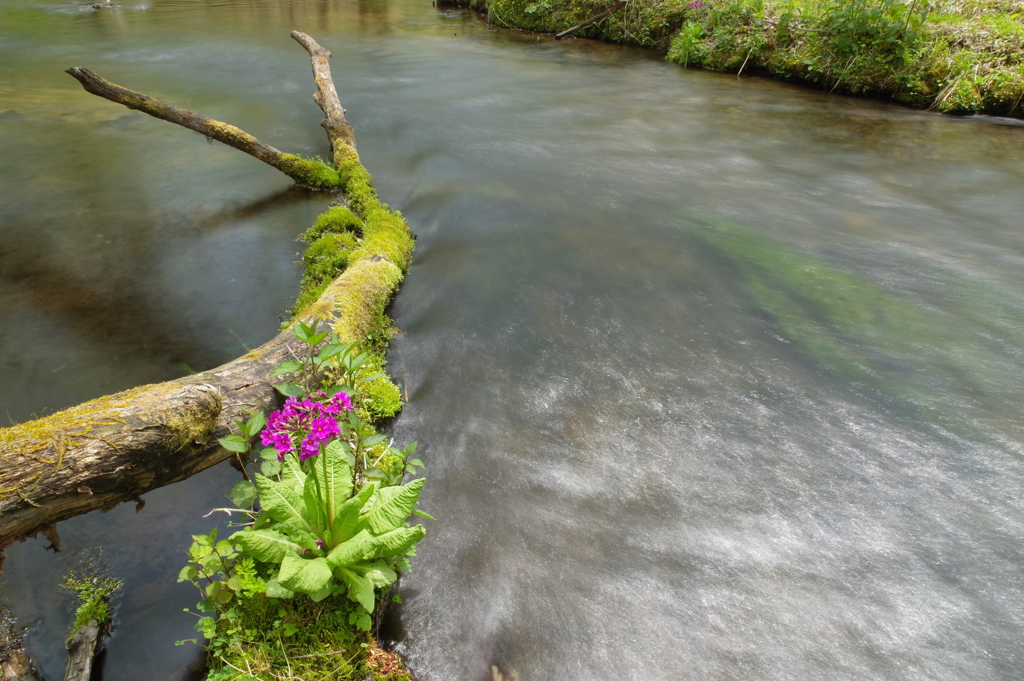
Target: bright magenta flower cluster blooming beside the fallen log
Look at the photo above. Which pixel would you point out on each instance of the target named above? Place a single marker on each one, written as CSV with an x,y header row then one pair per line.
x,y
304,425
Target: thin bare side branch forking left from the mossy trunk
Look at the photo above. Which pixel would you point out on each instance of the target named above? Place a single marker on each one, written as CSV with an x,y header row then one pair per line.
x,y
303,172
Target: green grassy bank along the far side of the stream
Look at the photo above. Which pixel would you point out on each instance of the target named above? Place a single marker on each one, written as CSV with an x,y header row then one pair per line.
x,y
958,57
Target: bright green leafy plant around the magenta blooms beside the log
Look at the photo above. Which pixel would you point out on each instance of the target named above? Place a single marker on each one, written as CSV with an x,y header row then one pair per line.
x,y
327,515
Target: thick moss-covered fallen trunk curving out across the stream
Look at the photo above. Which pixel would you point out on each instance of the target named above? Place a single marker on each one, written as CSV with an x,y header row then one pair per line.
x,y
115,449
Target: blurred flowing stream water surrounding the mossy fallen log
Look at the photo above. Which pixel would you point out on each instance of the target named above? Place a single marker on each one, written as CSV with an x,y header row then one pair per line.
x,y
714,378
